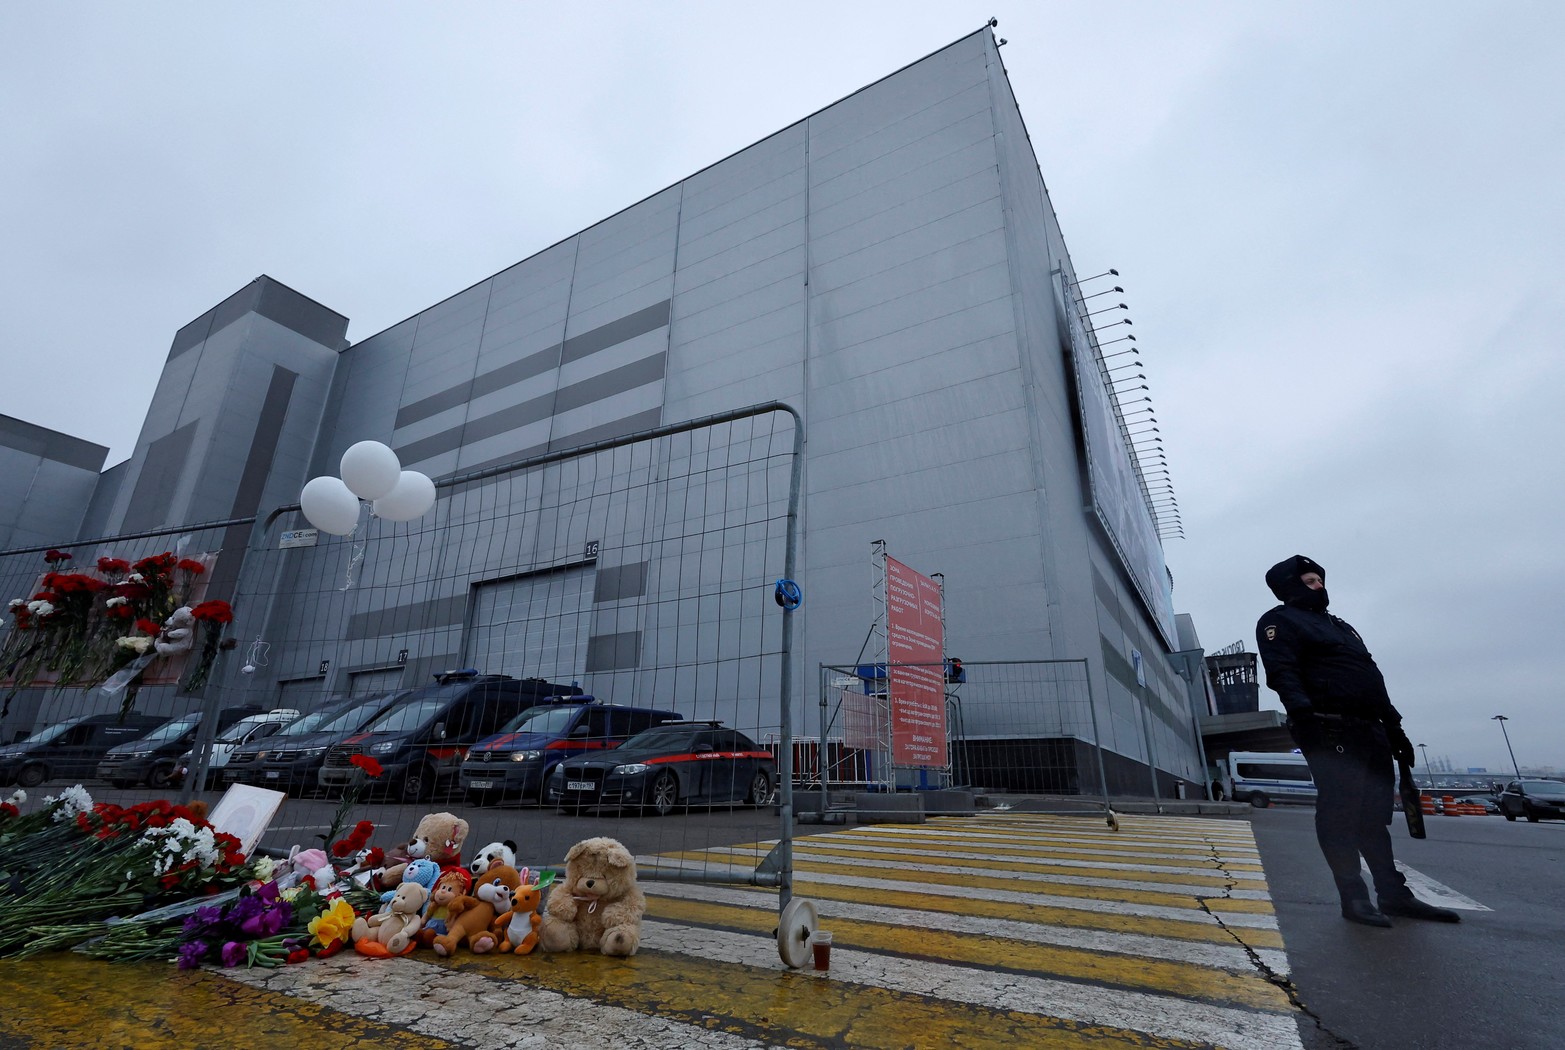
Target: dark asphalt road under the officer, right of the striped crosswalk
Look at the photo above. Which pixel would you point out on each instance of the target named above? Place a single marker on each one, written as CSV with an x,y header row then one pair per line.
x,y
1495,980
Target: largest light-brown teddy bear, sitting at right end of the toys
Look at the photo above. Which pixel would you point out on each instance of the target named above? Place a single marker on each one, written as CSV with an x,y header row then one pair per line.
x,y
599,905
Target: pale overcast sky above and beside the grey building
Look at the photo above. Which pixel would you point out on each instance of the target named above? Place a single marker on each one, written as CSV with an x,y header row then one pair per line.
x,y
1339,228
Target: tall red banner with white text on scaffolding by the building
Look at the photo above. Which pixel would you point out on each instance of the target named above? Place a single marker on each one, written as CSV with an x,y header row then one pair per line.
x,y
915,636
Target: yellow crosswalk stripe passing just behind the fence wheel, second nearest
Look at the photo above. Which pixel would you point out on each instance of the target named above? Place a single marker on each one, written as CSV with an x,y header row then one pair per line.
x,y
1187,980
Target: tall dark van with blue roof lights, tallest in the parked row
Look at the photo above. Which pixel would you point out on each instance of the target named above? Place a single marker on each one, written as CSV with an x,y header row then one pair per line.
x,y
420,743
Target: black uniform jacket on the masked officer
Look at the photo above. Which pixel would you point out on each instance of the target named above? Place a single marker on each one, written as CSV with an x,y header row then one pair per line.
x,y
1317,663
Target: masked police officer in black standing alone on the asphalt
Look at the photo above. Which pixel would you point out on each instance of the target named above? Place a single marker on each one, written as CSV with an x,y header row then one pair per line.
x,y
1344,721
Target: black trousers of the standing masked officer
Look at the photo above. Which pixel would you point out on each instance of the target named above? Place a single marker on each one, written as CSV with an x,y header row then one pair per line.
x,y
1356,783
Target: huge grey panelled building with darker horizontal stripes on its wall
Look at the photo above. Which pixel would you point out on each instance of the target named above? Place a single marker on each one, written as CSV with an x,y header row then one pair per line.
x,y
890,267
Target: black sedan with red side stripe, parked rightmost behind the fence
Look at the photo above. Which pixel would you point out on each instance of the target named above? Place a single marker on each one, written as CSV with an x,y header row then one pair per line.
x,y
691,763
